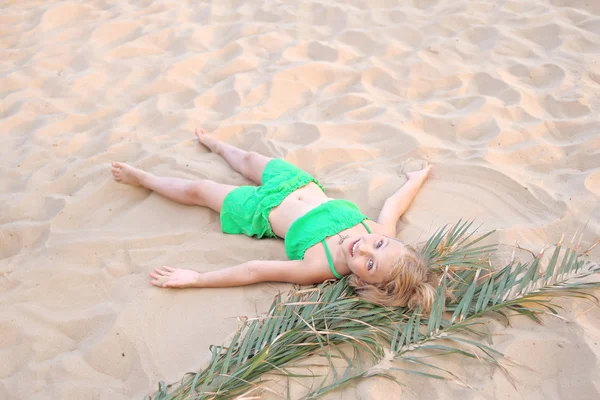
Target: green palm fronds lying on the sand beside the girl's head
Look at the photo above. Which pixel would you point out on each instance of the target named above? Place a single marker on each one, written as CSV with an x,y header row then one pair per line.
x,y
321,319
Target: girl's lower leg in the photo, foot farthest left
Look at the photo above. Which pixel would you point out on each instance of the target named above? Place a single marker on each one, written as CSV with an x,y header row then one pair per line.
x,y
184,191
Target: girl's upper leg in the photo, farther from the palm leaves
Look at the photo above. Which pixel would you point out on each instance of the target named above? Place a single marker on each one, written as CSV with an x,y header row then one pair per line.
x,y
247,163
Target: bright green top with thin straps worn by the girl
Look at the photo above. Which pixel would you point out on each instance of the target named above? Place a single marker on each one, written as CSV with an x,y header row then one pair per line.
x,y
323,221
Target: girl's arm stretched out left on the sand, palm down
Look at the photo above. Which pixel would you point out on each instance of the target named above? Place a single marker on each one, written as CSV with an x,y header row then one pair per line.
x,y
300,272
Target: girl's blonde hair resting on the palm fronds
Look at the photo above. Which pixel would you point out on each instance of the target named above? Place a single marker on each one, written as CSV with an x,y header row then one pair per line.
x,y
410,284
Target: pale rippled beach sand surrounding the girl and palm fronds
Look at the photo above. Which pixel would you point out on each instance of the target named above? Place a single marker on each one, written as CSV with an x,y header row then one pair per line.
x,y
502,96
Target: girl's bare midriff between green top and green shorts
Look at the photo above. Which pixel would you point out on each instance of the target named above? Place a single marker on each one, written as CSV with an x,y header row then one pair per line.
x,y
295,205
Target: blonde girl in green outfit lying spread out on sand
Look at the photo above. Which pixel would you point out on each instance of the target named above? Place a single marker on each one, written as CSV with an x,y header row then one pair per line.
x,y
324,238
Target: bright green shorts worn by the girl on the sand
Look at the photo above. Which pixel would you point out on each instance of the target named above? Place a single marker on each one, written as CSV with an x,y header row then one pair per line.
x,y
246,209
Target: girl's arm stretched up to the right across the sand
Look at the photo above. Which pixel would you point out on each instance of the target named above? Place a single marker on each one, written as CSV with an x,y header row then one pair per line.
x,y
398,203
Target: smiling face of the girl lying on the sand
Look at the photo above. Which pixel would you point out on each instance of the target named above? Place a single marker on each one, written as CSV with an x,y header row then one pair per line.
x,y
371,257
